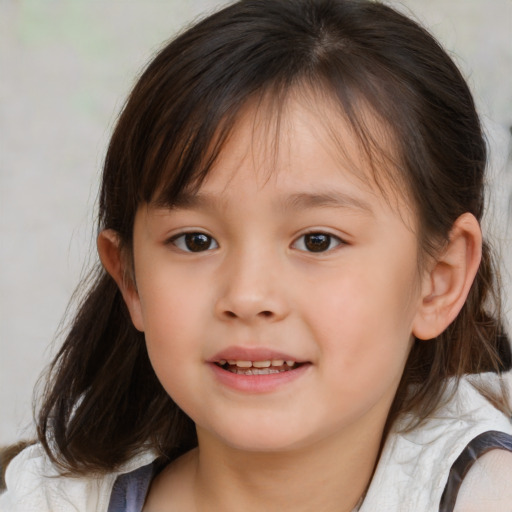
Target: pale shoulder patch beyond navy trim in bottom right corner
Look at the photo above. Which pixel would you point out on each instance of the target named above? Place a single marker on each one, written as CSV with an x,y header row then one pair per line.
x,y
488,484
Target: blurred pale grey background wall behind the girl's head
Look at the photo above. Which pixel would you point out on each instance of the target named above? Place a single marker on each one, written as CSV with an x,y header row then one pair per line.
x,y
65,69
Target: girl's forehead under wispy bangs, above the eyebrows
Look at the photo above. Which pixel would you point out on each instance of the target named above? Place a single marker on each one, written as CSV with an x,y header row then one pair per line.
x,y
296,142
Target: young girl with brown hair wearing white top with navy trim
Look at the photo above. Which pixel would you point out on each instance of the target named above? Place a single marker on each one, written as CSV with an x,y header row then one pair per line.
x,y
295,309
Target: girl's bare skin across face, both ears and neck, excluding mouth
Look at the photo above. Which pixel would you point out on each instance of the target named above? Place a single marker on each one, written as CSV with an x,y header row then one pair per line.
x,y
350,312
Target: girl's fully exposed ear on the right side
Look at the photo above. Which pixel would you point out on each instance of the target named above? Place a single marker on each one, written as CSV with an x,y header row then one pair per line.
x,y
446,285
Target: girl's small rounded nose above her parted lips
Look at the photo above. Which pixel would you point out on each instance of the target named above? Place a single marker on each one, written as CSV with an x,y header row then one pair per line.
x,y
251,289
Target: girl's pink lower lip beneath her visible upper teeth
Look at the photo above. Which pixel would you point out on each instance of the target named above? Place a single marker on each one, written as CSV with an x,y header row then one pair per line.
x,y
257,383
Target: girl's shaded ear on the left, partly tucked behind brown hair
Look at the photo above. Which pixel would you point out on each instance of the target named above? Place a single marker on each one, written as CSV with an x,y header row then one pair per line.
x,y
114,262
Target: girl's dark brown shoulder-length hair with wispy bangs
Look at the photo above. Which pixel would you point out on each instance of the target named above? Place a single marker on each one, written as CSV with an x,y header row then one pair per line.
x,y
103,402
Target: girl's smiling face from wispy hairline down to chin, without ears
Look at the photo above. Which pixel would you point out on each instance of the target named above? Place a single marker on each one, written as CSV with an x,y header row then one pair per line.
x,y
278,303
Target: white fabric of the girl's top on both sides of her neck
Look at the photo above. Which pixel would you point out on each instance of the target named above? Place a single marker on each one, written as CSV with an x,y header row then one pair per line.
x,y
410,476
